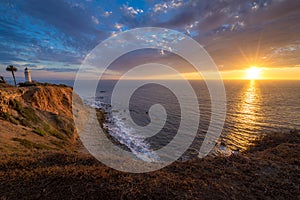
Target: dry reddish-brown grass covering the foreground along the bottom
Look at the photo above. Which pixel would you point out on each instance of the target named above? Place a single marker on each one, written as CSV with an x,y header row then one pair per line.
x,y
268,171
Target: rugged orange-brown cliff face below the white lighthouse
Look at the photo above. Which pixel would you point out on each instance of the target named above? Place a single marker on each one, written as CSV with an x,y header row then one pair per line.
x,y
36,118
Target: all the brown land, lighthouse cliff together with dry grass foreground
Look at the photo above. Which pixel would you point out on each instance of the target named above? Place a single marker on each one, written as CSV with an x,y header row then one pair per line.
x,y
41,159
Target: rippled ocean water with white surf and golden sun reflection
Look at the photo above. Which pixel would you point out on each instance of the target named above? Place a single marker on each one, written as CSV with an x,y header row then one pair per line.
x,y
254,108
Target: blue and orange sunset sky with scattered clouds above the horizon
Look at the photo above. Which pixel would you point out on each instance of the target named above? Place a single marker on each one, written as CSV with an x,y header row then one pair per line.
x,y
53,37
